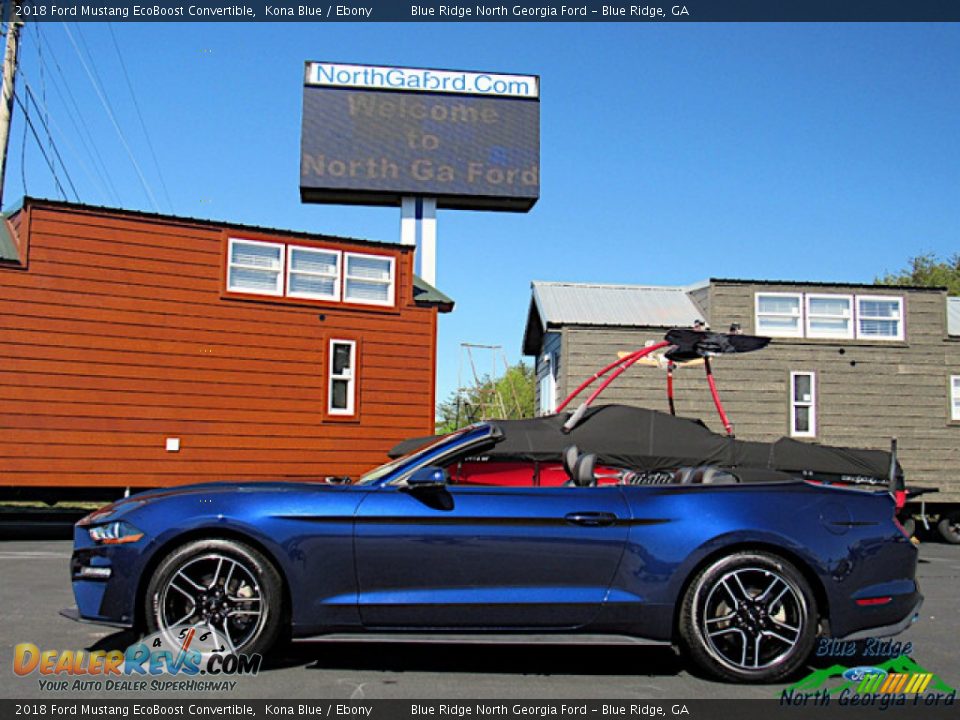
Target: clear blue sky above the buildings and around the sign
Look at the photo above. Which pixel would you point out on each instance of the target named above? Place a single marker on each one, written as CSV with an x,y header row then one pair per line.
x,y
670,153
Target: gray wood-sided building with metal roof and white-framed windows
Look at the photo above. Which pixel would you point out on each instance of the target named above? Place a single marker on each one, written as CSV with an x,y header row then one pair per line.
x,y
848,364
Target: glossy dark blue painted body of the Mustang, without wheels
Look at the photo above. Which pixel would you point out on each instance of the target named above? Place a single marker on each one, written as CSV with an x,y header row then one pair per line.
x,y
614,558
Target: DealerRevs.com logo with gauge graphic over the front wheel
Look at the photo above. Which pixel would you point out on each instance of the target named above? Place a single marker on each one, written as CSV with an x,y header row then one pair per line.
x,y
171,660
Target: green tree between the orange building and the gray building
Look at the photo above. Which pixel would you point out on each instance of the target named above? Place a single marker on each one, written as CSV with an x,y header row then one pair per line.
x,y
509,397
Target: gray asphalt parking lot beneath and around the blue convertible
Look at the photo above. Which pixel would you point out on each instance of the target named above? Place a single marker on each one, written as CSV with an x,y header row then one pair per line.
x,y
35,586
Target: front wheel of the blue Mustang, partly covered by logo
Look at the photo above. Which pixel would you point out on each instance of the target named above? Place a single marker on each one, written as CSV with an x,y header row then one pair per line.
x,y
226,586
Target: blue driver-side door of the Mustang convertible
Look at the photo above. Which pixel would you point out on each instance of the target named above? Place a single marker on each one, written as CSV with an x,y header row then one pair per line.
x,y
504,557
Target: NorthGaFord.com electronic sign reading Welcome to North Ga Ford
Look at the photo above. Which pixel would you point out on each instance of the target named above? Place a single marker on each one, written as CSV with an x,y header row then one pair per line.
x,y
374,134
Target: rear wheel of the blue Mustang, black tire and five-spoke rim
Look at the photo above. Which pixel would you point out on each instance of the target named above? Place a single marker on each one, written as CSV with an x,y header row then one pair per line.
x,y
749,617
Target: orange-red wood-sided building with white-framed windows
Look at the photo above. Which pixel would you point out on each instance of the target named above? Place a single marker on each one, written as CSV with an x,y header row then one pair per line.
x,y
141,350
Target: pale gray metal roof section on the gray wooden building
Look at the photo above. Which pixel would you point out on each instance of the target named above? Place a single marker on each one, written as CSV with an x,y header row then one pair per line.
x,y
614,305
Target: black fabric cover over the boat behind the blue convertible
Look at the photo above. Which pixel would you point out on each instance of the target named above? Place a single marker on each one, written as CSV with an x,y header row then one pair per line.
x,y
644,439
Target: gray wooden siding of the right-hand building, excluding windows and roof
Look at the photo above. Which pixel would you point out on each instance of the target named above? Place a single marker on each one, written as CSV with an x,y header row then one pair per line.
x,y
867,391
